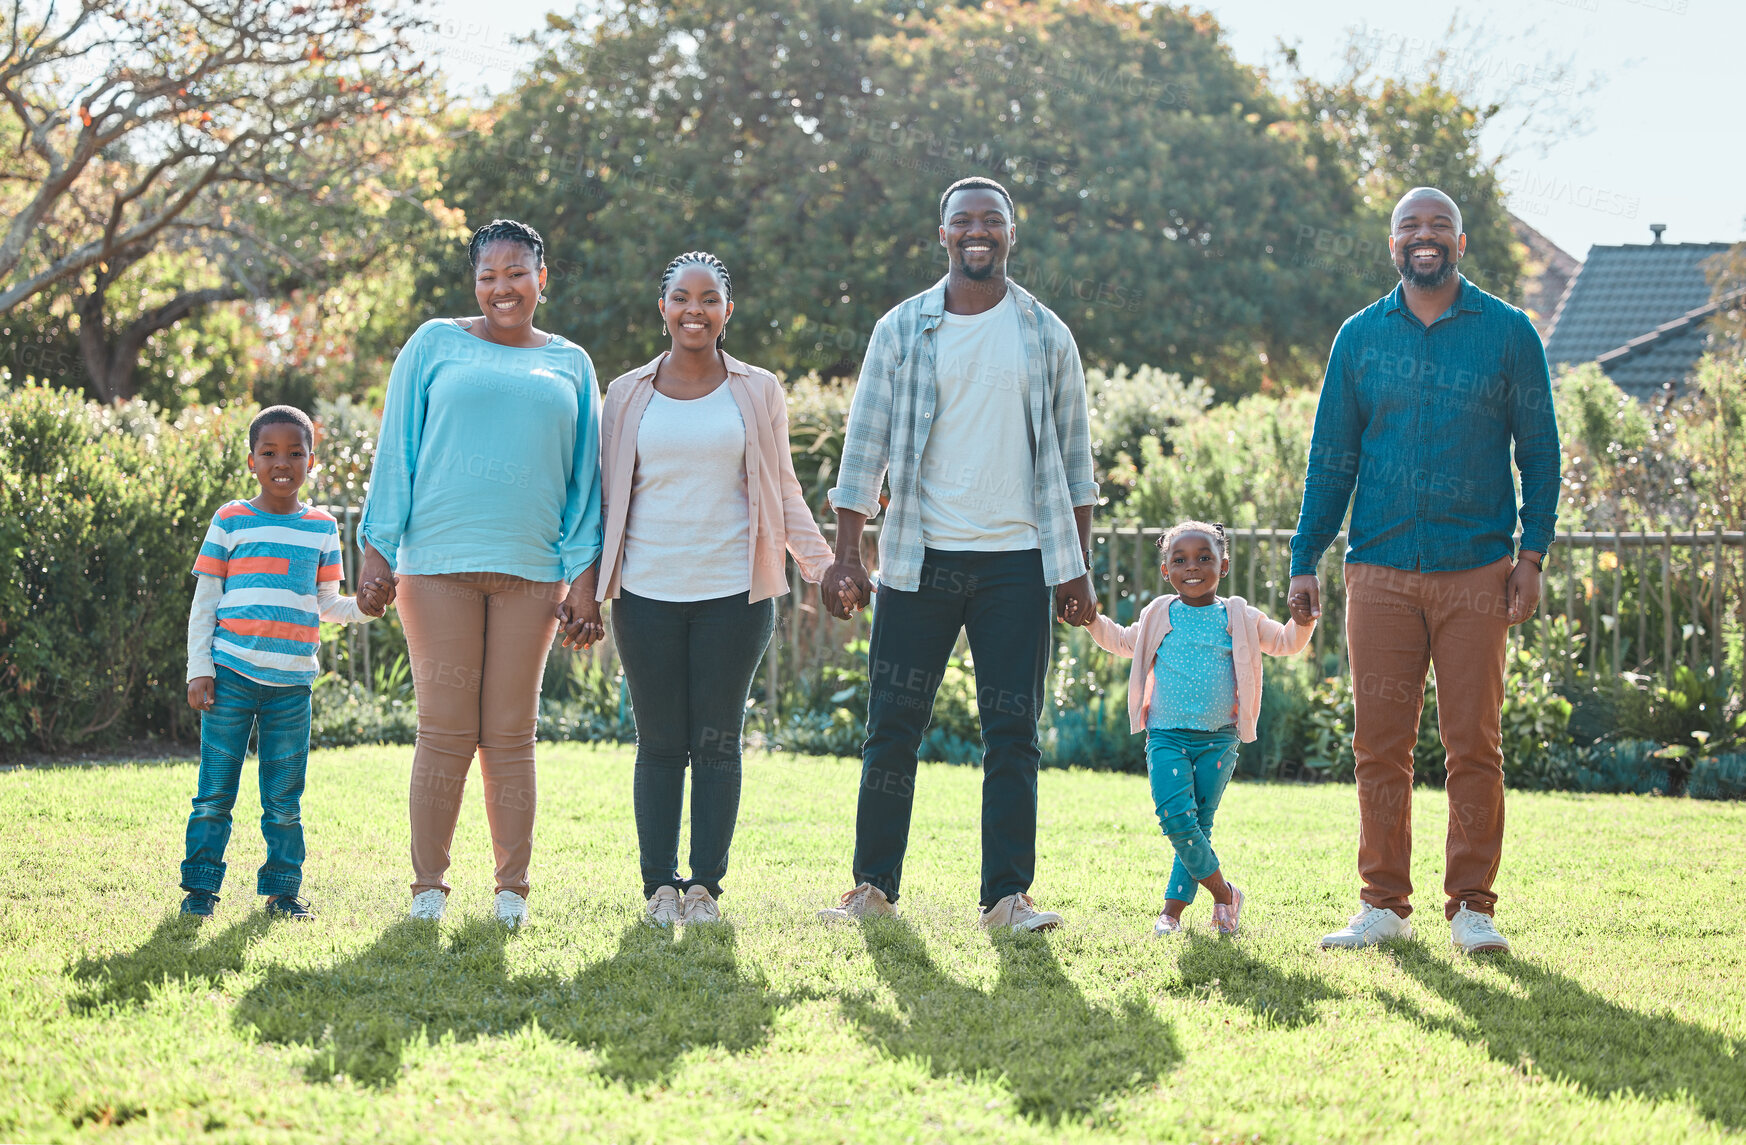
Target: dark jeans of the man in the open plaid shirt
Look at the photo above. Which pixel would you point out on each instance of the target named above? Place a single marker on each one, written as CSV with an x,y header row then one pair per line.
x,y
1000,600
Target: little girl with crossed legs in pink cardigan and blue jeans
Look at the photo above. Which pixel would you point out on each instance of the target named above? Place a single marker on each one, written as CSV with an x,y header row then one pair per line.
x,y
1195,690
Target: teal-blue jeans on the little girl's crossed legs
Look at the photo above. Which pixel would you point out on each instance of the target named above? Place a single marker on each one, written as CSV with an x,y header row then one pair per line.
x,y
1190,771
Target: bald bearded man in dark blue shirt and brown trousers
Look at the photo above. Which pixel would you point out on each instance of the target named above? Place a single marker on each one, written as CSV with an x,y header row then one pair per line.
x,y
1426,397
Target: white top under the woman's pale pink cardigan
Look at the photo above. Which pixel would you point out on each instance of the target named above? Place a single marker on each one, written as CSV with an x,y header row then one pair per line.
x,y
689,528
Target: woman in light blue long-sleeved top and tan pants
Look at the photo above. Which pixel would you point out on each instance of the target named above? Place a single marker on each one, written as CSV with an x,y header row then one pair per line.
x,y
485,502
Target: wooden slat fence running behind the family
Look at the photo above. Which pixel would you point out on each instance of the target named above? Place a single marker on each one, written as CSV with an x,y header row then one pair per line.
x,y
1628,601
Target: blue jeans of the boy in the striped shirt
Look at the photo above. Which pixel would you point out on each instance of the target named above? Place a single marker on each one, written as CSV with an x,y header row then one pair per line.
x,y
282,716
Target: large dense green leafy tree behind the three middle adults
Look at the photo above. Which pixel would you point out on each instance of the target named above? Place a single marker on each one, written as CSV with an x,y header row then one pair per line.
x,y
1160,186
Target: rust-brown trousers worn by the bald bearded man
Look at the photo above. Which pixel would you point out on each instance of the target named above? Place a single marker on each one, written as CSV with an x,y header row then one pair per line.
x,y
1399,624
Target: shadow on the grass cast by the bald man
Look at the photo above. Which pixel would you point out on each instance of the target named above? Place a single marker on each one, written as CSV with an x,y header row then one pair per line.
x,y
1572,1034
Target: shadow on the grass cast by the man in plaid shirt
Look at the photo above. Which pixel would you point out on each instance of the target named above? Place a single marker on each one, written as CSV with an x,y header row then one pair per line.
x,y
1059,1055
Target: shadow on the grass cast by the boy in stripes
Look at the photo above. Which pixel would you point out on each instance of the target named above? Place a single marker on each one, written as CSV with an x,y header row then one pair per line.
x,y
175,952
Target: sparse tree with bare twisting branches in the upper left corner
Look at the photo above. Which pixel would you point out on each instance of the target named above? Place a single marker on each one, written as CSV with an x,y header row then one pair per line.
x,y
177,154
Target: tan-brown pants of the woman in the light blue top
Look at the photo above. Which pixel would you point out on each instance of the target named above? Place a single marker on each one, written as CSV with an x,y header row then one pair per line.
x,y
478,643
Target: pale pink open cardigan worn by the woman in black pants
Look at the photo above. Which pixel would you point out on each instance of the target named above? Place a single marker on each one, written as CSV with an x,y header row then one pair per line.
x,y
780,516
